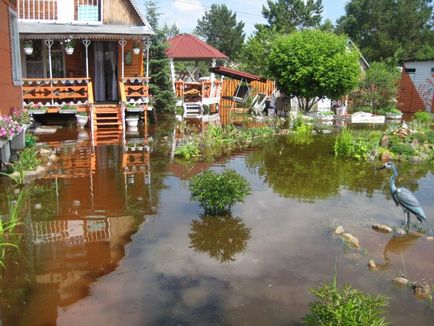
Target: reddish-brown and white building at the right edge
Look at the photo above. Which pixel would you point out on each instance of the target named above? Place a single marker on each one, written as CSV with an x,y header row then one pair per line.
x,y
416,87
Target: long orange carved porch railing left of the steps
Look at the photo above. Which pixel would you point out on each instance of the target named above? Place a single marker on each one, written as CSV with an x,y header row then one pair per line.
x,y
57,91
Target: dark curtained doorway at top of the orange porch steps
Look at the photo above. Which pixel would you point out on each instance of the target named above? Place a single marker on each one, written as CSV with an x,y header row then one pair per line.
x,y
105,71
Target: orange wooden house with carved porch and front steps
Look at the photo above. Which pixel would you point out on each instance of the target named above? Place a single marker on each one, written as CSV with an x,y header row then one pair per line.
x,y
91,55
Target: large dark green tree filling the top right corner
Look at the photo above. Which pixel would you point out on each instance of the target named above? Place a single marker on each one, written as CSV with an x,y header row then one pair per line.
x,y
390,30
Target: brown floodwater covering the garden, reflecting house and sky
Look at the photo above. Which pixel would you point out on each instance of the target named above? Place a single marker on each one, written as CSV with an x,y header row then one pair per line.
x,y
115,240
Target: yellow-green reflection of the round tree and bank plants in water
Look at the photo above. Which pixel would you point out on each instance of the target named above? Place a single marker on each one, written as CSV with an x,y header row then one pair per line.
x,y
308,171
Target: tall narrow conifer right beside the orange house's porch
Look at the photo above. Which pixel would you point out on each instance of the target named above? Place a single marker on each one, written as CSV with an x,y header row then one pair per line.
x,y
160,85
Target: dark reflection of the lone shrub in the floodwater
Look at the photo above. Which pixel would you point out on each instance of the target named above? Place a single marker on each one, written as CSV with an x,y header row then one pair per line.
x,y
221,237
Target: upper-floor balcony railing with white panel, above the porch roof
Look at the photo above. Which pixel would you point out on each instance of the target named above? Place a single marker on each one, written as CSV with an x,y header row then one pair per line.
x,y
64,11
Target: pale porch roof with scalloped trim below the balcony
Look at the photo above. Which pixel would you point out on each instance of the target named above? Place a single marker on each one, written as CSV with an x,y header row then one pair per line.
x,y
97,31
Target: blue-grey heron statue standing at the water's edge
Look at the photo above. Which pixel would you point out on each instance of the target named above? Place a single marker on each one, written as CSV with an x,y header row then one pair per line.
x,y
403,196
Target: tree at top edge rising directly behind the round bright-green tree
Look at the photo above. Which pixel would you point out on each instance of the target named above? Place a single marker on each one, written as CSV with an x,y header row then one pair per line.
x,y
287,16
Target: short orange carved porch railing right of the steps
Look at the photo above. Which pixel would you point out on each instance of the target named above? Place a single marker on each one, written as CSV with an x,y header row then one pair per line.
x,y
134,90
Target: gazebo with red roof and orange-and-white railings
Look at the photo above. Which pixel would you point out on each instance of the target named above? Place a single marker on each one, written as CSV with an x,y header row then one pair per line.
x,y
195,93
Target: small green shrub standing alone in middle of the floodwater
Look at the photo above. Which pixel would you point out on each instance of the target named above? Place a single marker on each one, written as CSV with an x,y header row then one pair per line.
x,y
217,193
